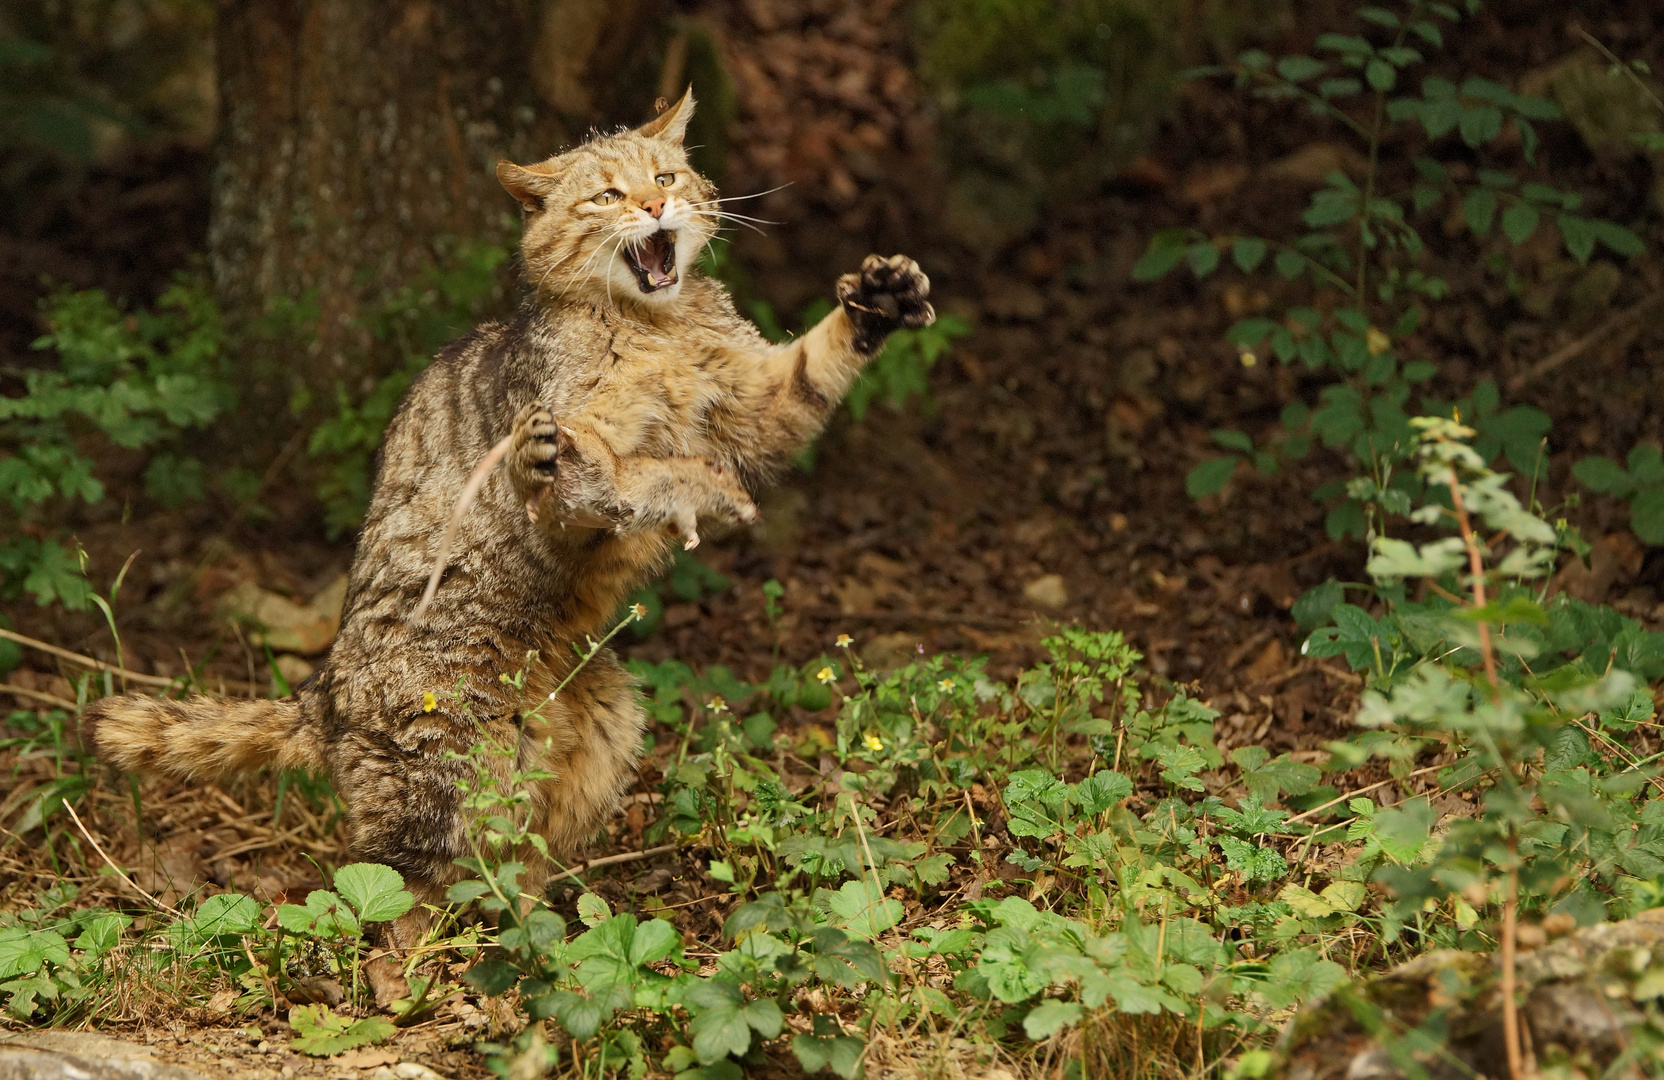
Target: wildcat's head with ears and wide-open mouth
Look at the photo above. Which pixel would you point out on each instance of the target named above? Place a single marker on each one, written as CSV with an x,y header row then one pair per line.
x,y
622,217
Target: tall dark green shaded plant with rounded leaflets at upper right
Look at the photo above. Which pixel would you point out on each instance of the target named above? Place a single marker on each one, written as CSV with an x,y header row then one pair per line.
x,y
1365,262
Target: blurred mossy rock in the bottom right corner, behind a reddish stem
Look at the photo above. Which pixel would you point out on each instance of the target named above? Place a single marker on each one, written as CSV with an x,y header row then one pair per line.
x,y
1583,998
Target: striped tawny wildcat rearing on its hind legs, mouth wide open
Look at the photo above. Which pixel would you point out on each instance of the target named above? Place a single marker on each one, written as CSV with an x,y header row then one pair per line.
x,y
638,402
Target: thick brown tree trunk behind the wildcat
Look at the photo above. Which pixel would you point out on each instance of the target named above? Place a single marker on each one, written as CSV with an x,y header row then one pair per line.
x,y
357,139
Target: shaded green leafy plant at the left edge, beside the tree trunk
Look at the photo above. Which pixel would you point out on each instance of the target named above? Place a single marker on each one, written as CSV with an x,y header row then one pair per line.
x,y
131,380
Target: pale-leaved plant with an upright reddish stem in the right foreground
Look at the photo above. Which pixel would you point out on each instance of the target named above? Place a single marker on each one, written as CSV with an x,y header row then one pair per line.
x,y
1530,705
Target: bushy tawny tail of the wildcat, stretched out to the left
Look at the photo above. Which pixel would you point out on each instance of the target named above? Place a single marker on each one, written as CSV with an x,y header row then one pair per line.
x,y
202,738
